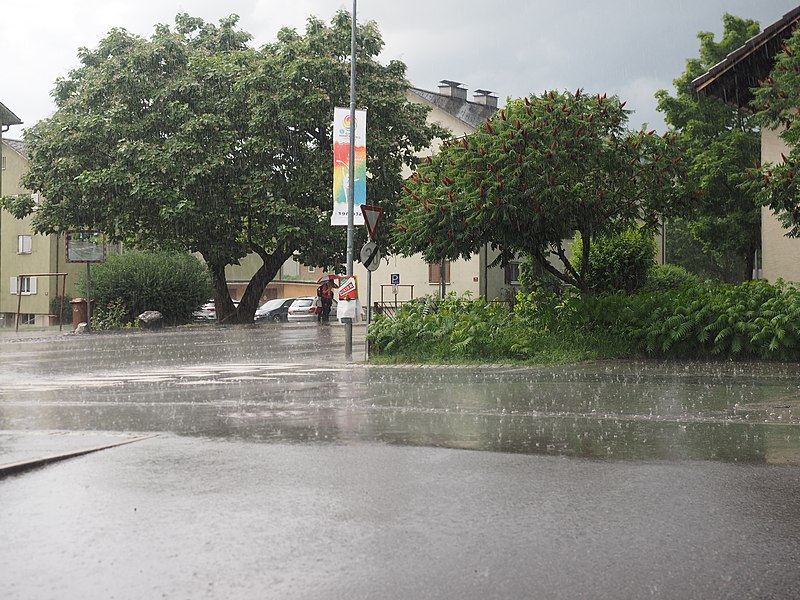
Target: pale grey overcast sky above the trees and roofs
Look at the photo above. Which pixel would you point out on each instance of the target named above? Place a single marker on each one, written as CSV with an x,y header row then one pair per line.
x,y
512,47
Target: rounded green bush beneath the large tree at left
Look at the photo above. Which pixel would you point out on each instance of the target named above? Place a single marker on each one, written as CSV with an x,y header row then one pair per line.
x,y
173,283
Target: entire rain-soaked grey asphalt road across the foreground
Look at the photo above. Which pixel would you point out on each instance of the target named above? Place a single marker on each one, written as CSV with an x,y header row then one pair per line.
x,y
271,467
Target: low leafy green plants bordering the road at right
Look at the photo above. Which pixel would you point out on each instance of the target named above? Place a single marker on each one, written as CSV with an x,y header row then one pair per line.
x,y
753,320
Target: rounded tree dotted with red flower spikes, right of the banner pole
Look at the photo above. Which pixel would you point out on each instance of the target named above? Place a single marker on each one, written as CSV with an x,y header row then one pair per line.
x,y
542,169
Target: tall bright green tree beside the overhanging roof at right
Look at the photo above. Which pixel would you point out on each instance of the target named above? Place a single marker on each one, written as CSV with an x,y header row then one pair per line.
x,y
722,141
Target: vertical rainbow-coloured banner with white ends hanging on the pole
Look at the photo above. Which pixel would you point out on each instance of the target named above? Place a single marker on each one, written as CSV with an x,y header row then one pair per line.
x,y
341,165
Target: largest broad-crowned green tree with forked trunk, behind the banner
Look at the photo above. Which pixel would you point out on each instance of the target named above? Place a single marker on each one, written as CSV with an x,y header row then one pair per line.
x,y
192,139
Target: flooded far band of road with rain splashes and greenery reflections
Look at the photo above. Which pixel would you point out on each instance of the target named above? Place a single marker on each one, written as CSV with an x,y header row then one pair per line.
x,y
293,384
